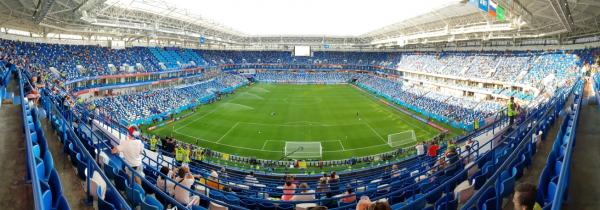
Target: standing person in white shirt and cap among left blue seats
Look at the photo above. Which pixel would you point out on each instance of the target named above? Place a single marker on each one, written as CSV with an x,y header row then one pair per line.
x,y
131,150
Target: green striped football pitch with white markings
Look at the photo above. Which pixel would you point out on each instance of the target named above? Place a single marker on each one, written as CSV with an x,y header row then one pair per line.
x,y
257,120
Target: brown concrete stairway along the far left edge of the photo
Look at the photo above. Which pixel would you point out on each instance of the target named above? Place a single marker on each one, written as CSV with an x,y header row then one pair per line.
x,y
14,190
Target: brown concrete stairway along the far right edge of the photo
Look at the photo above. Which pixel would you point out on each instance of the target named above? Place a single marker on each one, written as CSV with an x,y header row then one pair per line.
x,y
584,185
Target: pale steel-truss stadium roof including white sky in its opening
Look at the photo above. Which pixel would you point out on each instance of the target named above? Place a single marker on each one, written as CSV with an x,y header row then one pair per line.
x,y
271,24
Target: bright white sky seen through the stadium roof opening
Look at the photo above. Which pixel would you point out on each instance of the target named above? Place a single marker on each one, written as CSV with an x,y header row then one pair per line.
x,y
308,17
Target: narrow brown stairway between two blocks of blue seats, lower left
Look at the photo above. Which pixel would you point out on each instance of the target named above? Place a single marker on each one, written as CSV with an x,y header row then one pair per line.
x,y
73,188
